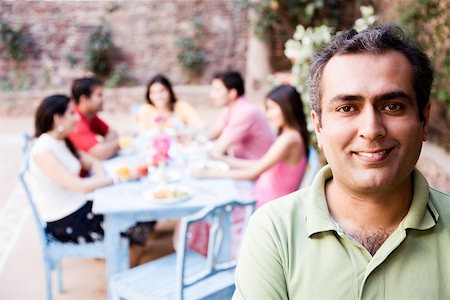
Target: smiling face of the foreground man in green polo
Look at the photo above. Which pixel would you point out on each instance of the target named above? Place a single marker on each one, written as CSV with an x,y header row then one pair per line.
x,y
370,130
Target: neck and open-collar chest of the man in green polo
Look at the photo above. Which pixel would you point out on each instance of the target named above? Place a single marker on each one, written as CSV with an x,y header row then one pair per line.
x,y
368,217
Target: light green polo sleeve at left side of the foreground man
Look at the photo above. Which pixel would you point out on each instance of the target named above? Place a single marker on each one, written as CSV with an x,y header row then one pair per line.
x,y
260,274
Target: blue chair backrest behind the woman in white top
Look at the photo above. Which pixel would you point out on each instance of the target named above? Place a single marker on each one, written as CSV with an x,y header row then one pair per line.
x,y
27,143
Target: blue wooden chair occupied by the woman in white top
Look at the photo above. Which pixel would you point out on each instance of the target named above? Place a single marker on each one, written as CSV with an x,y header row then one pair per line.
x,y
52,249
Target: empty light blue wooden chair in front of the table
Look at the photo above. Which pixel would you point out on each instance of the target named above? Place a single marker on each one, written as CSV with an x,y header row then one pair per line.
x,y
186,274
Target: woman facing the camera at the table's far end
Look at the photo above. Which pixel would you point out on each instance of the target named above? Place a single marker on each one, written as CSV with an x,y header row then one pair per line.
x,y
164,110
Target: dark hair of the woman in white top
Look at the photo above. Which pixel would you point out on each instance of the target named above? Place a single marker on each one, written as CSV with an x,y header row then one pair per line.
x,y
43,121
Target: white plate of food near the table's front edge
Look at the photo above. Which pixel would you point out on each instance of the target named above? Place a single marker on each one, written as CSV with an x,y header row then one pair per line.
x,y
156,194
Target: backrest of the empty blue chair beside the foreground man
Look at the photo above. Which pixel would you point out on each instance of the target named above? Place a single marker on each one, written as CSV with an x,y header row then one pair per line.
x,y
219,257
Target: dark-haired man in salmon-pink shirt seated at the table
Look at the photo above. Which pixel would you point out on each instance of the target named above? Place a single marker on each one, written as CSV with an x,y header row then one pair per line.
x,y
242,131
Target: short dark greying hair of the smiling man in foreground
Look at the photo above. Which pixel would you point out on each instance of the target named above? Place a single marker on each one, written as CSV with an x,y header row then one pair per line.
x,y
378,39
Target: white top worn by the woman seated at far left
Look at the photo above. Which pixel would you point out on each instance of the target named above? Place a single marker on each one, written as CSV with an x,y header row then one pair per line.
x,y
52,200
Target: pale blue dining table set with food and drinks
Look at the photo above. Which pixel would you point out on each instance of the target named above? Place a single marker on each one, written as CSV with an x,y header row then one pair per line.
x,y
126,203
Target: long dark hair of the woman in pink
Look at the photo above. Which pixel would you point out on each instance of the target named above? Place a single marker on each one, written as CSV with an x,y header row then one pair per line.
x,y
291,106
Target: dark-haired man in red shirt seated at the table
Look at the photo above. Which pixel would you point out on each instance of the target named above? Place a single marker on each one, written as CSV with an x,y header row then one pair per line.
x,y
92,135
